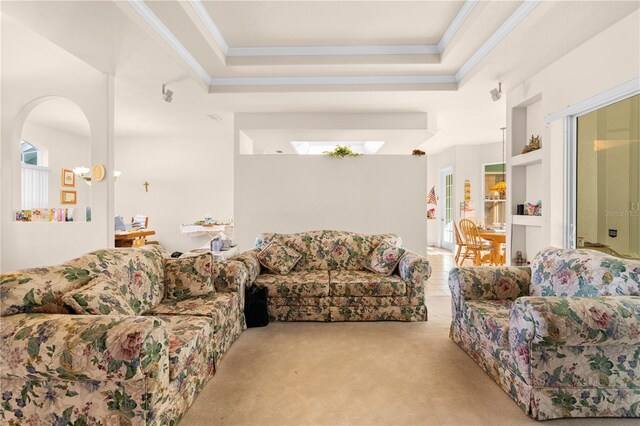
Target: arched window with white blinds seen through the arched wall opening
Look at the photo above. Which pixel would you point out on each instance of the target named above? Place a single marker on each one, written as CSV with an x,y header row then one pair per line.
x,y
35,178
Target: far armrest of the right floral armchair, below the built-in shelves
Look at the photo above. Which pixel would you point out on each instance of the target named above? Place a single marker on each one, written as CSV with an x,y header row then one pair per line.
x,y
487,283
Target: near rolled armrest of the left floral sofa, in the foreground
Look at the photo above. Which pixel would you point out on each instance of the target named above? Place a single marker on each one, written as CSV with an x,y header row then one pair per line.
x,y
84,347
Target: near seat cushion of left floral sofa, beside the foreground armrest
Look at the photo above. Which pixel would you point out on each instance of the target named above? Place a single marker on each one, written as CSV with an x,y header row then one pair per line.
x,y
186,334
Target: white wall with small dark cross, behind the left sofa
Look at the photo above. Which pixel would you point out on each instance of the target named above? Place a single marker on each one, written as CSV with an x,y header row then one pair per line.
x,y
188,180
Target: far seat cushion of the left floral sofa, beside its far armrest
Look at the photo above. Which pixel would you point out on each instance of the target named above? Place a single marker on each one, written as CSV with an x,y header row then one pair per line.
x,y
218,306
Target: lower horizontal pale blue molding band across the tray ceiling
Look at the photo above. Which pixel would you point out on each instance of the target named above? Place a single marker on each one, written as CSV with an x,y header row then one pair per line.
x,y
350,80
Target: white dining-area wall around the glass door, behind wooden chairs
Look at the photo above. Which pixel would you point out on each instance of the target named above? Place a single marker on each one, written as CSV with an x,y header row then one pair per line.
x,y
467,162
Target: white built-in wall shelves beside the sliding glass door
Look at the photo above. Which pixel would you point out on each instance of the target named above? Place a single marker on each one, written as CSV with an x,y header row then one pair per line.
x,y
525,177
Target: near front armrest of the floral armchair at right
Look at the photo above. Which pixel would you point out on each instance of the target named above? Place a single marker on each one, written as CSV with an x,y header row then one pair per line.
x,y
575,321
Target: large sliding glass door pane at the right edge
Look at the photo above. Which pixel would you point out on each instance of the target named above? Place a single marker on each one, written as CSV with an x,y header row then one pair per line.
x,y
607,176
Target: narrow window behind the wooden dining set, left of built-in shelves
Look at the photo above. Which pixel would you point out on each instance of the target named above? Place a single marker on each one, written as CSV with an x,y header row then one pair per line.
x,y
494,211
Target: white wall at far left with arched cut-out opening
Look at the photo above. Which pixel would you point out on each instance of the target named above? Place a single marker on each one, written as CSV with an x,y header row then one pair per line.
x,y
32,70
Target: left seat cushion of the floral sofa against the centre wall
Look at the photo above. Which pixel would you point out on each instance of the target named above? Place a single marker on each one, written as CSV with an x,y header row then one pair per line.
x,y
296,284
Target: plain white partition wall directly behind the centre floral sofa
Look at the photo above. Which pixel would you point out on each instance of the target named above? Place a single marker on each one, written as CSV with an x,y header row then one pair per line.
x,y
370,194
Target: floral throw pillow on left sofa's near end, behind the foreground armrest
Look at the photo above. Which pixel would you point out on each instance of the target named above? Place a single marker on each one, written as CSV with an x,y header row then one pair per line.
x,y
102,296
